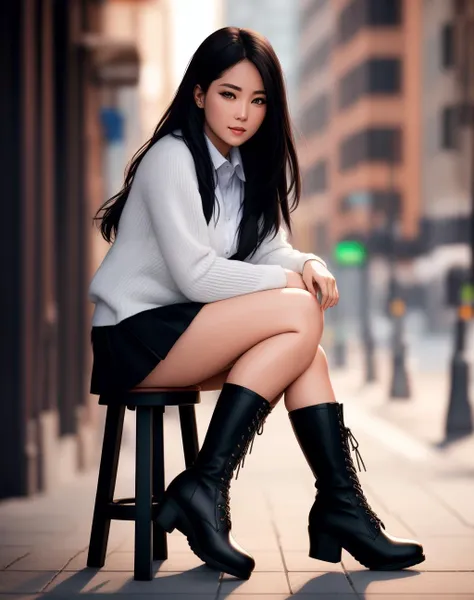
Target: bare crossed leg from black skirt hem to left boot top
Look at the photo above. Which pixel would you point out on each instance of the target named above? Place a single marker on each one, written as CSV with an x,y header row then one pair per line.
x,y
269,337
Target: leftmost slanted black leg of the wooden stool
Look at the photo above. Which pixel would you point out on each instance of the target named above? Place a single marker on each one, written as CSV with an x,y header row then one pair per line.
x,y
105,485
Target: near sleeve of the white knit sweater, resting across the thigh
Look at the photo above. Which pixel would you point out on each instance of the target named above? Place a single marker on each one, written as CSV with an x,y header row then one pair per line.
x,y
169,189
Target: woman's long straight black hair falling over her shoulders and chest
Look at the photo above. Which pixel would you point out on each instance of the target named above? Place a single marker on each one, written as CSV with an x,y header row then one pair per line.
x,y
269,157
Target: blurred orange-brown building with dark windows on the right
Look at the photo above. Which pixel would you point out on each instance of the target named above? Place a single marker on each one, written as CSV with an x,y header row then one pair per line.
x,y
381,142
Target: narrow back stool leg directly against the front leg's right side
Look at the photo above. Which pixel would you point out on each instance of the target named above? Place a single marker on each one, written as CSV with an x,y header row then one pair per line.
x,y
160,546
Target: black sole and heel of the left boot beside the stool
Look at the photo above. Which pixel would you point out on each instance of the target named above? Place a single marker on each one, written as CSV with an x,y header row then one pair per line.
x,y
171,516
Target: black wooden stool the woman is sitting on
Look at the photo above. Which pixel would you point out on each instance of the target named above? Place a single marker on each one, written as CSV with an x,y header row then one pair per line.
x,y
149,470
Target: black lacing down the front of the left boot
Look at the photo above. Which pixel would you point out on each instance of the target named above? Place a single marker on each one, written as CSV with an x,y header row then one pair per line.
x,y
237,458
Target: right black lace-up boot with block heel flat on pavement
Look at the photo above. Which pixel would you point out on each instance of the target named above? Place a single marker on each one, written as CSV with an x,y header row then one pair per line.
x,y
341,516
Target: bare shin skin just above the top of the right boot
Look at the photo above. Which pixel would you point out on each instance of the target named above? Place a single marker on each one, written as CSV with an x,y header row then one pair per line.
x,y
313,386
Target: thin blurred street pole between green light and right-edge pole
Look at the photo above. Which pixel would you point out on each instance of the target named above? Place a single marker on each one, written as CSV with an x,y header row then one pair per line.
x,y
399,385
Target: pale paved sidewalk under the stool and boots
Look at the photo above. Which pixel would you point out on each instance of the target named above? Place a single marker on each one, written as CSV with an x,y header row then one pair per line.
x,y
418,490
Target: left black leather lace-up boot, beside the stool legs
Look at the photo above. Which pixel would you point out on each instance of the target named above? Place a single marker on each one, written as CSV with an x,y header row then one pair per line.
x,y
197,500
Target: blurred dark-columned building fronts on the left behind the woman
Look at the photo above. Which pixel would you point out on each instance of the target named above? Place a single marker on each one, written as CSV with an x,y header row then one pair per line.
x,y
85,84
